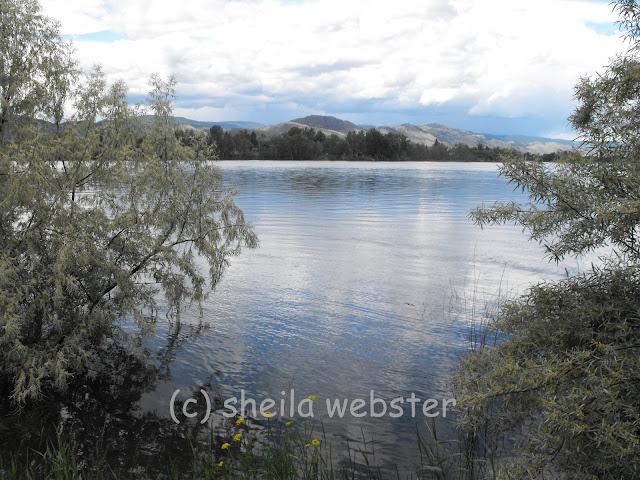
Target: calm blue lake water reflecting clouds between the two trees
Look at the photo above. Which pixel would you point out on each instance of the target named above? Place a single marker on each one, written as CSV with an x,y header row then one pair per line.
x,y
353,288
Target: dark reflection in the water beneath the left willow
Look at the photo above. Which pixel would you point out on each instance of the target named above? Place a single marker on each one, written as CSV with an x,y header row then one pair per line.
x,y
100,419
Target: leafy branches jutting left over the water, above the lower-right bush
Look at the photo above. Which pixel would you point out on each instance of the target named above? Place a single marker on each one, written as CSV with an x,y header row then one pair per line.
x,y
576,205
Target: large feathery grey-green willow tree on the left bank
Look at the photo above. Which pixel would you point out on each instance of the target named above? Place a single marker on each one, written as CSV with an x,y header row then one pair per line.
x,y
98,217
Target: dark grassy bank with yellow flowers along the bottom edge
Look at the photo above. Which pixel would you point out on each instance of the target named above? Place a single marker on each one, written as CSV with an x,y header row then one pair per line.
x,y
282,451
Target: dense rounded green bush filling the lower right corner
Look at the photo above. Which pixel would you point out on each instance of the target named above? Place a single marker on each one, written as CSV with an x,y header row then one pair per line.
x,y
566,378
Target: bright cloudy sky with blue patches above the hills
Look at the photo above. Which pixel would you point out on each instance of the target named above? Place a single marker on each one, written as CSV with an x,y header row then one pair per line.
x,y
490,66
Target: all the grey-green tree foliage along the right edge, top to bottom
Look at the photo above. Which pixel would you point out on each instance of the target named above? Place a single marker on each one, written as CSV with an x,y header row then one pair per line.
x,y
564,379
